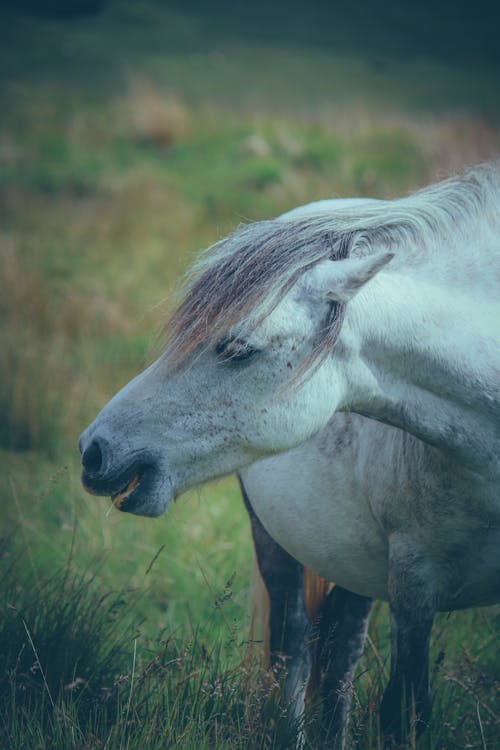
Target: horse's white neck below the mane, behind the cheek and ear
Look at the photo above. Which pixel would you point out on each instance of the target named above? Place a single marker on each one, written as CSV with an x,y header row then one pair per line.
x,y
428,362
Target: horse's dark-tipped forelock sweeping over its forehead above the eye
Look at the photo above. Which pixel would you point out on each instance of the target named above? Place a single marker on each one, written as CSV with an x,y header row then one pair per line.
x,y
247,273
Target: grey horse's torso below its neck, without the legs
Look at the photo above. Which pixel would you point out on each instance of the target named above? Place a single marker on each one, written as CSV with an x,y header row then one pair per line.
x,y
351,487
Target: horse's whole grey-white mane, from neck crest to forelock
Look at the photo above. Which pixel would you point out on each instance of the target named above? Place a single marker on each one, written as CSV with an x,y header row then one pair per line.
x,y
252,269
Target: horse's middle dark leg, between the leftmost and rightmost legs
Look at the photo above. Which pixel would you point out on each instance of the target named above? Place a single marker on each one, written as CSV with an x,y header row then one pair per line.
x,y
341,632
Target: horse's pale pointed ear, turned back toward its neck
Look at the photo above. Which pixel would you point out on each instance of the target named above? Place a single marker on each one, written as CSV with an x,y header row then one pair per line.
x,y
347,277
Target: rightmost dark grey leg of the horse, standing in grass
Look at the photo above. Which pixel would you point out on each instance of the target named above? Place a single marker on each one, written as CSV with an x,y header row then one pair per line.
x,y
406,704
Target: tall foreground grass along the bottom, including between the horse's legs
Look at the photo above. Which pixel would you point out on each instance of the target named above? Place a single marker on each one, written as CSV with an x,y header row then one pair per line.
x,y
77,671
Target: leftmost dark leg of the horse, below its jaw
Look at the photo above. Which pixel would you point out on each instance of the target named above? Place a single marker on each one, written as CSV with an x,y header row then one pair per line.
x,y
289,625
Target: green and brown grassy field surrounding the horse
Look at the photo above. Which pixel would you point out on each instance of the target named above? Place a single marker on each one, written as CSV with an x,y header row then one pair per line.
x,y
128,141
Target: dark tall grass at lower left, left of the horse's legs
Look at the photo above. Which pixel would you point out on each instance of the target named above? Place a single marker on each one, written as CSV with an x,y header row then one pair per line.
x,y
76,671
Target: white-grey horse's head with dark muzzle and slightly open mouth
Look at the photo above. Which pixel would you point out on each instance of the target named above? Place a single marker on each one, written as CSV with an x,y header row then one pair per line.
x,y
211,405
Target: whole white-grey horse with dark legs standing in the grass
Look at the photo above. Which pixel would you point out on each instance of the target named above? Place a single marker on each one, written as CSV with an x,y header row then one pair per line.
x,y
343,359
